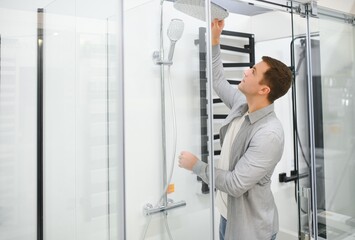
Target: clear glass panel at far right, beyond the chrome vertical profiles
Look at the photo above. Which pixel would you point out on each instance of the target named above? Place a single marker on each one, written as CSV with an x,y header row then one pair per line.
x,y
334,109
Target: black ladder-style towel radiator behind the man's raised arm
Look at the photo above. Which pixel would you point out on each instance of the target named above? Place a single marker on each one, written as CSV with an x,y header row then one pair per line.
x,y
245,50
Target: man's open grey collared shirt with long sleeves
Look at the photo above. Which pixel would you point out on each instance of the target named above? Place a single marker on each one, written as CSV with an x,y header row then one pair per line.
x,y
257,148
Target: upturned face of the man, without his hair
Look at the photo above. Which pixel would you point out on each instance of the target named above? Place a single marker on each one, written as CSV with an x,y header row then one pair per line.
x,y
250,85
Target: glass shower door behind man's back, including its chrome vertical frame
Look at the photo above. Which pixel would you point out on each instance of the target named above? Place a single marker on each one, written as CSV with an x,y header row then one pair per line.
x,y
325,125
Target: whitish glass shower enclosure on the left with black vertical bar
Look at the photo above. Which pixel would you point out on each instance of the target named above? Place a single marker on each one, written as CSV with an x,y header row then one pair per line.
x,y
61,139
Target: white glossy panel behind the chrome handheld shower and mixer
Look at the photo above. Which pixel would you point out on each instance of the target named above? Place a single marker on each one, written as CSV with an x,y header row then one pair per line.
x,y
149,164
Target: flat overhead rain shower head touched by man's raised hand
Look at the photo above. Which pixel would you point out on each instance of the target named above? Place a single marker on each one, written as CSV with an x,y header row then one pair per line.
x,y
196,9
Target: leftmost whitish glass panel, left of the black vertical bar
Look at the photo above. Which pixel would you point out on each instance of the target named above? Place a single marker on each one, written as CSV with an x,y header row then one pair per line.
x,y
18,121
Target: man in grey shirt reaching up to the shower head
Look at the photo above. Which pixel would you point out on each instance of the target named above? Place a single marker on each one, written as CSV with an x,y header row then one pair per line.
x,y
252,142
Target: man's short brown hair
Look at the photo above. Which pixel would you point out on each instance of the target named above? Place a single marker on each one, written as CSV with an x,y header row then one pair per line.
x,y
278,77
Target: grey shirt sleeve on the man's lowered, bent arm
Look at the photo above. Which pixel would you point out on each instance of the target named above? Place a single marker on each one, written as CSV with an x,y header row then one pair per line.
x,y
264,152
